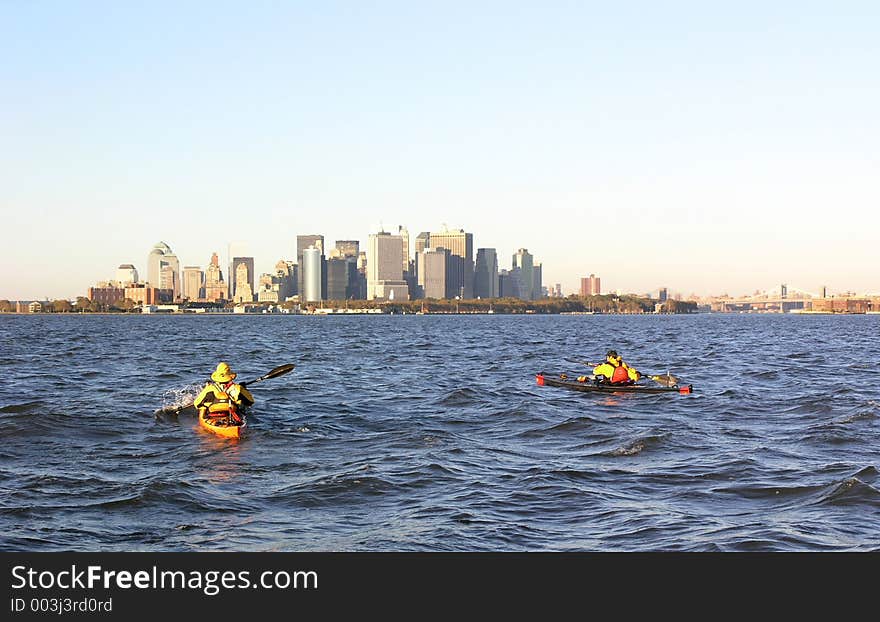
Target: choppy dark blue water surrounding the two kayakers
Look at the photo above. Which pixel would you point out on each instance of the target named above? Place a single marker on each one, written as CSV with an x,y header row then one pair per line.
x,y
429,433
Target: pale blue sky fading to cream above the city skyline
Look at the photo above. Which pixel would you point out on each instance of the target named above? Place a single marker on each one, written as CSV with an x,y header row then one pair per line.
x,y
705,147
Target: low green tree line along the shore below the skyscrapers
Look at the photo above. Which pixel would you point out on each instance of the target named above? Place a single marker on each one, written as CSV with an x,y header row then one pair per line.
x,y
603,303
